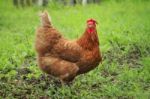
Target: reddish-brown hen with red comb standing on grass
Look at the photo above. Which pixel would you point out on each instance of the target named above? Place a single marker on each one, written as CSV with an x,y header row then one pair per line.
x,y
63,58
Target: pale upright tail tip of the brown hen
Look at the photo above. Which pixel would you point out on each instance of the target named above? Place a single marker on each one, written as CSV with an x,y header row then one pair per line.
x,y
45,19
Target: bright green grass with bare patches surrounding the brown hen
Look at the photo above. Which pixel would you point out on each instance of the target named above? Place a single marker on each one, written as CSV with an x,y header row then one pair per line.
x,y
124,32
